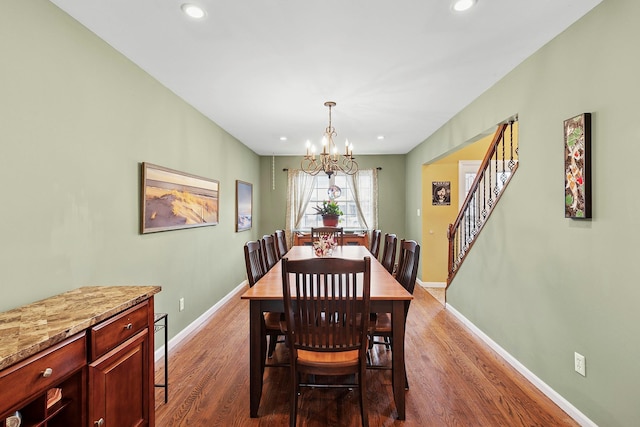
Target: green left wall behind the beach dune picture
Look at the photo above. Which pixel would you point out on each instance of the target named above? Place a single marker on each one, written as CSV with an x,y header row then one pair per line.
x,y
76,119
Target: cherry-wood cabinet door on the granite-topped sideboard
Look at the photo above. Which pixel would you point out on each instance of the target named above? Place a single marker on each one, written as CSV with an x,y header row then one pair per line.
x,y
118,385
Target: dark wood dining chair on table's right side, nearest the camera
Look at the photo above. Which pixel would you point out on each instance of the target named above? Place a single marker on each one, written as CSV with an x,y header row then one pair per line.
x,y
406,275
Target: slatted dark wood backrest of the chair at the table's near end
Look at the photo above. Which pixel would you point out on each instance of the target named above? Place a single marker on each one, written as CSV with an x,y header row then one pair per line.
x,y
326,303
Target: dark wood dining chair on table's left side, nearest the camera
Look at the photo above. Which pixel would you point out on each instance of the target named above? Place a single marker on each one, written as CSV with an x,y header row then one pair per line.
x,y
256,268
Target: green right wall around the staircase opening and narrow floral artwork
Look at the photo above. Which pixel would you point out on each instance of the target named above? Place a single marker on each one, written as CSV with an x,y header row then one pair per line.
x,y
542,286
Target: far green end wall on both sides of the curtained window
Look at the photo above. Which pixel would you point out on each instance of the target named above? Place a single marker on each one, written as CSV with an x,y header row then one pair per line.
x,y
391,196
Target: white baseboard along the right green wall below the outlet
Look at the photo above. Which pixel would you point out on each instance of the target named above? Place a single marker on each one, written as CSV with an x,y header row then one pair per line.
x,y
563,403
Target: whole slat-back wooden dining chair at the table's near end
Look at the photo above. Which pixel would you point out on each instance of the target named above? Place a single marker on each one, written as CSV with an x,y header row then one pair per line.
x,y
327,314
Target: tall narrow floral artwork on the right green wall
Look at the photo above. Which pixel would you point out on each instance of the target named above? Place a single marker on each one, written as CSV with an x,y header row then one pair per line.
x,y
577,167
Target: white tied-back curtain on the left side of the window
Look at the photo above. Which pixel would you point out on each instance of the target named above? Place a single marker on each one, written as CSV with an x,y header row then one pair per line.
x,y
300,186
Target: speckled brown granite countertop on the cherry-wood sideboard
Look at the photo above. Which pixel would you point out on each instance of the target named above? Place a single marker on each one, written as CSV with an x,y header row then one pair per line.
x,y
27,330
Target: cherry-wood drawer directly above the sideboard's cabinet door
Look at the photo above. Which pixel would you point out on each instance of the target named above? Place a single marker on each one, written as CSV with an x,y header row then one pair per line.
x,y
112,332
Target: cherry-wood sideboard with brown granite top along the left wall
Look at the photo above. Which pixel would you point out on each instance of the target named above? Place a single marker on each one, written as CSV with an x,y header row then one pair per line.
x,y
81,358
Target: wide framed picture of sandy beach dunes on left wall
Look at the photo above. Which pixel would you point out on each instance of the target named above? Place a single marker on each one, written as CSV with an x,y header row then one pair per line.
x,y
173,200
